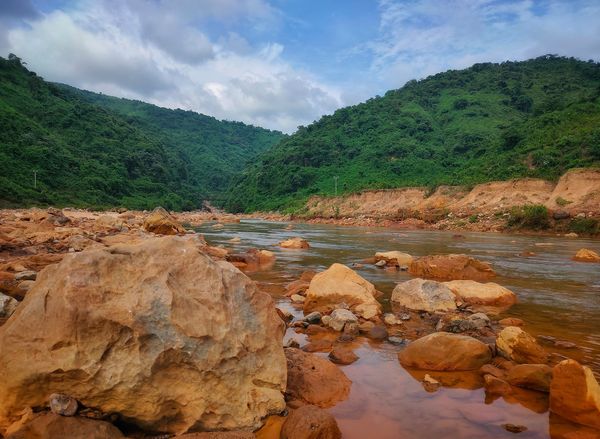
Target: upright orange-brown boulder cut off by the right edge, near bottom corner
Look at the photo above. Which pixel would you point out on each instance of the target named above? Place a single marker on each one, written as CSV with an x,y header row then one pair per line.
x,y
575,393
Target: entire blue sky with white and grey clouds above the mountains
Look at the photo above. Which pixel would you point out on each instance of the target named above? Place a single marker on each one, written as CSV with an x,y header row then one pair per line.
x,y
280,64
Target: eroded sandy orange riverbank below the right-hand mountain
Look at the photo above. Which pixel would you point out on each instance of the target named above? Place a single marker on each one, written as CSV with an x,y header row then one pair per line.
x,y
572,205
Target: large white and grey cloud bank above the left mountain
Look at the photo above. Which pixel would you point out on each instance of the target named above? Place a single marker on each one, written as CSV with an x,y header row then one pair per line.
x,y
159,53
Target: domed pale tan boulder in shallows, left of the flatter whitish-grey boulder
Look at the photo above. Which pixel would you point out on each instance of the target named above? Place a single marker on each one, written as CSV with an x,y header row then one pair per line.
x,y
340,284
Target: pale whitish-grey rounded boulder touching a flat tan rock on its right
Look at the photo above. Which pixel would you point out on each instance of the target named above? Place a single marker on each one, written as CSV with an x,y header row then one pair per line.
x,y
424,295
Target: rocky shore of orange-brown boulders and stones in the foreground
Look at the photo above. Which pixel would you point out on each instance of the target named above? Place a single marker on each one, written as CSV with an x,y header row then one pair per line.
x,y
129,324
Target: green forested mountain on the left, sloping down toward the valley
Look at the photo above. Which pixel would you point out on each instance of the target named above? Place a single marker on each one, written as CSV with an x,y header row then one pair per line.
x,y
93,150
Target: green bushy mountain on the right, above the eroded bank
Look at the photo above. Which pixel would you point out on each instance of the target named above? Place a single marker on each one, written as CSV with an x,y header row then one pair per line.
x,y
535,118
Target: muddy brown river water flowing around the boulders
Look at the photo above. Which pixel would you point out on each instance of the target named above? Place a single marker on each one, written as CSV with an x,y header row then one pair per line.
x,y
557,297
